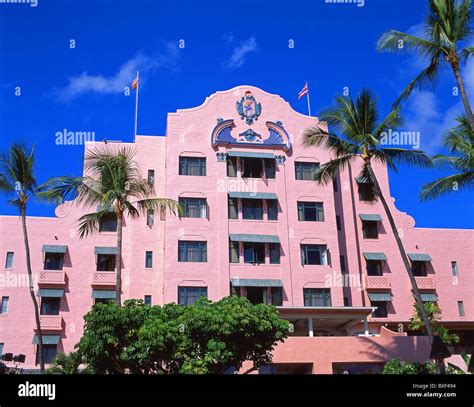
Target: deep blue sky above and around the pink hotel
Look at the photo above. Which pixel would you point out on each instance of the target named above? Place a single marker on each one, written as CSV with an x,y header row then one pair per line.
x,y
226,44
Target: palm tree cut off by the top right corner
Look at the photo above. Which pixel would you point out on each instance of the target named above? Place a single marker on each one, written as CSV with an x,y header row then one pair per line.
x,y
447,24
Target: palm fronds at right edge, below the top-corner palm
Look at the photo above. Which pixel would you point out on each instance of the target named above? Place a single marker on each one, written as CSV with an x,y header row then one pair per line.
x,y
460,142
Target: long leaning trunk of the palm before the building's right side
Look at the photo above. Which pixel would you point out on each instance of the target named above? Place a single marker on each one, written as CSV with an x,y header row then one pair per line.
x,y
415,290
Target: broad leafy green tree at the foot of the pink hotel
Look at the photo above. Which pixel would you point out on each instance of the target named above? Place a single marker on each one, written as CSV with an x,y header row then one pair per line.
x,y
206,337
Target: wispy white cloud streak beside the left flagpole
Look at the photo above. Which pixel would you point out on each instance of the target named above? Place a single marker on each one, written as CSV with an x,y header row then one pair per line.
x,y
86,83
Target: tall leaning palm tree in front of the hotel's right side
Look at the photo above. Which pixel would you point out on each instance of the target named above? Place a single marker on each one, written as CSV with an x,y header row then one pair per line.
x,y
361,139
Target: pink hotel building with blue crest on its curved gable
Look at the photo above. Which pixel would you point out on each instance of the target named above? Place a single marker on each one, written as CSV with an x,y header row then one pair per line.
x,y
256,225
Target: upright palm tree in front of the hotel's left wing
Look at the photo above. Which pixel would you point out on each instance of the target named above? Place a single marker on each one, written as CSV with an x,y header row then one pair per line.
x,y
112,182
